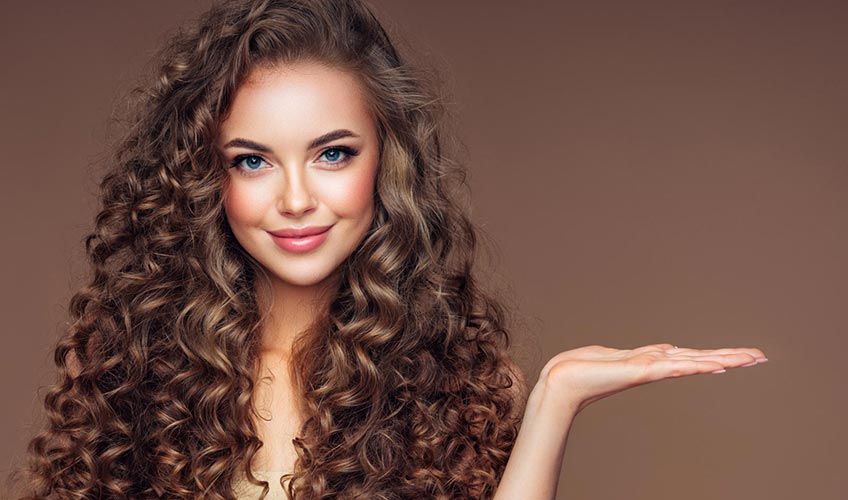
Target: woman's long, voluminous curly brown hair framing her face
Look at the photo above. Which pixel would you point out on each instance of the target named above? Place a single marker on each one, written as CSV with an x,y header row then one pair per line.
x,y
406,381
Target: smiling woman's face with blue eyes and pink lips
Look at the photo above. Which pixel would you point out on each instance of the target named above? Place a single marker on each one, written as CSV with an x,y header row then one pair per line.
x,y
304,151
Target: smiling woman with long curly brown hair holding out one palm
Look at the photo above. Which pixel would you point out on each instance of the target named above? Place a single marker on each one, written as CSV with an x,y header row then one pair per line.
x,y
283,300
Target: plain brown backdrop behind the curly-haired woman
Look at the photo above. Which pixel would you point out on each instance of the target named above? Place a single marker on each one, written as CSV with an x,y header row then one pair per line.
x,y
649,171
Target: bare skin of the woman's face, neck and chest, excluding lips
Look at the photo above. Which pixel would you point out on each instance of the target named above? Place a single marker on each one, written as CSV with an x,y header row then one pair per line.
x,y
292,186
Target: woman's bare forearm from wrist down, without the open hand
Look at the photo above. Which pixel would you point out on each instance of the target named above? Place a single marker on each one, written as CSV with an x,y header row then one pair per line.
x,y
532,472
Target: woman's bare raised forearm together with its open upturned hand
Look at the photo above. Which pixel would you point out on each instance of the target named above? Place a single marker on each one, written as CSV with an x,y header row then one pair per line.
x,y
572,380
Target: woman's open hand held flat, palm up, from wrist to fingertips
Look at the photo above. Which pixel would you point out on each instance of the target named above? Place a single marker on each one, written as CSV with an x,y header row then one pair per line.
x,y
576,378
